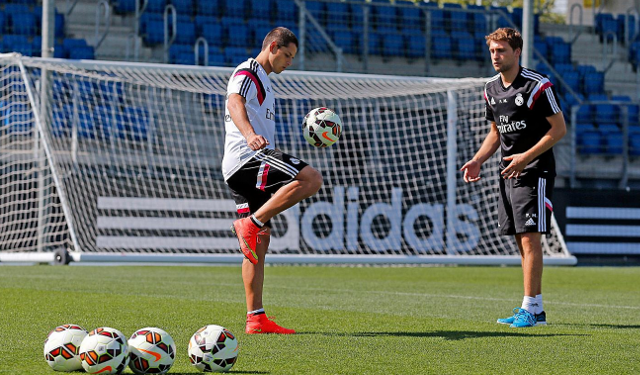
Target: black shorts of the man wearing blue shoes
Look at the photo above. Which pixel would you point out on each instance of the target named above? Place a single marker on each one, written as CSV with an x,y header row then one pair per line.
x,y
525,204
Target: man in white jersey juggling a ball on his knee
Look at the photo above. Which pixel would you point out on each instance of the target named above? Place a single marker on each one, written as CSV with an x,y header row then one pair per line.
x,y
264,181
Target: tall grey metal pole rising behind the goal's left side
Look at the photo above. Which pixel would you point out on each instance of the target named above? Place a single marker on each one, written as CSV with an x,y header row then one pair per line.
x,y
48,34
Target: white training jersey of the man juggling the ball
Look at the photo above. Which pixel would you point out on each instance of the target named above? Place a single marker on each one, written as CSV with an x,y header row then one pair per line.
x,y
250,81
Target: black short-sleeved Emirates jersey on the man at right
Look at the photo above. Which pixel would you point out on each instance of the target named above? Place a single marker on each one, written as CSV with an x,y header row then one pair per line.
x,y
520,113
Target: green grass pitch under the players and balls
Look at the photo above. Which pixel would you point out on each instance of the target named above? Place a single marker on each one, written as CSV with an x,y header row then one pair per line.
x,y
351,320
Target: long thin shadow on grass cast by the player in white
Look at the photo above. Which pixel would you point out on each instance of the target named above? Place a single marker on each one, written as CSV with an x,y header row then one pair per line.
x,y
447,335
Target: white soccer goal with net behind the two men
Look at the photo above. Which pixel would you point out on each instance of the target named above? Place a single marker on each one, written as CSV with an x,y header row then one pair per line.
x,y
120,161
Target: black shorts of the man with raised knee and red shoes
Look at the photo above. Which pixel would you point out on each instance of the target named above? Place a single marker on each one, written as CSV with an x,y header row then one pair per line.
x,y
266,172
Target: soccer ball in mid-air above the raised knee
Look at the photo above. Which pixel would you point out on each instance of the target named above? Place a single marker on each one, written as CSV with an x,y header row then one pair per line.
x,y
321,127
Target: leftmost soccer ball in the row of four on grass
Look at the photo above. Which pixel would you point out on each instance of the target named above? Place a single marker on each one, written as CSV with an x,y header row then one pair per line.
x,y
62,347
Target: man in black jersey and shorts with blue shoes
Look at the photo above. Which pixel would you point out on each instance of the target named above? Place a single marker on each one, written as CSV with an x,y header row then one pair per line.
x,y
526,121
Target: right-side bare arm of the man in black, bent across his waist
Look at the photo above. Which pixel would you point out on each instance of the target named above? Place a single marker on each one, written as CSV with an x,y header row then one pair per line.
x,y
520,161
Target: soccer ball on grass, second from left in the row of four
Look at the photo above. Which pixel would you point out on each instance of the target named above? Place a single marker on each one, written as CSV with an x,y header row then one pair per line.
x,y
104,351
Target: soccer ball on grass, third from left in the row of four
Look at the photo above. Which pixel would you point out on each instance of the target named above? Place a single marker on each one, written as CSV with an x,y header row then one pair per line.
x,y
151,351
